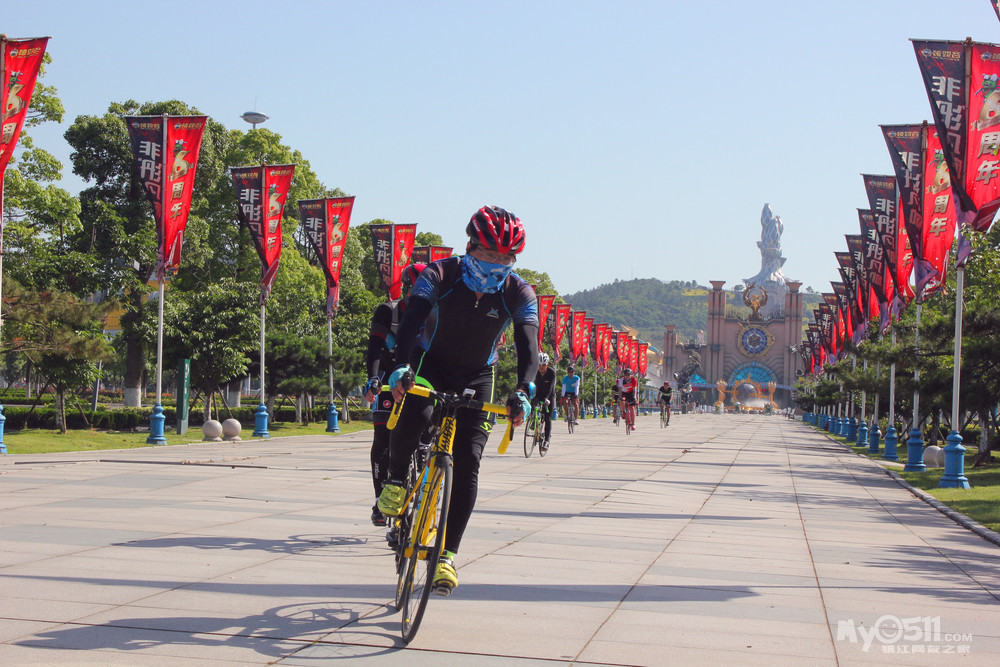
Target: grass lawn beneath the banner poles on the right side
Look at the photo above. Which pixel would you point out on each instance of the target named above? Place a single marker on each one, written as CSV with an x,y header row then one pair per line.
x,y
981,503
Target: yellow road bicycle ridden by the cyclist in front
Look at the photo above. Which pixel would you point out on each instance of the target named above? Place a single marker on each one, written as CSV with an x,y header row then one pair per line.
x,y
422,524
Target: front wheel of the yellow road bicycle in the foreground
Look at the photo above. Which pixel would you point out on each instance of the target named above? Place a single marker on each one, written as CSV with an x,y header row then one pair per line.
x,y
425,545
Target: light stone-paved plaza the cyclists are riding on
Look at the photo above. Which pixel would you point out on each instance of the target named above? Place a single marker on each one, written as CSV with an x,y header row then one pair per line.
x,y
729,539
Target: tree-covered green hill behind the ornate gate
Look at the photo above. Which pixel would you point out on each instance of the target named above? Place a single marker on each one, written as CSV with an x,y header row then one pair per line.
x,y
647,304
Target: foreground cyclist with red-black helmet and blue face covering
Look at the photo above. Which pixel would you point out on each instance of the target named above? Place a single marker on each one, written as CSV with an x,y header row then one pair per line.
x,y
463,305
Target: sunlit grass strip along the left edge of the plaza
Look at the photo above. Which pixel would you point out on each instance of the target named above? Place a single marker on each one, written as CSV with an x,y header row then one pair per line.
x,y
39,441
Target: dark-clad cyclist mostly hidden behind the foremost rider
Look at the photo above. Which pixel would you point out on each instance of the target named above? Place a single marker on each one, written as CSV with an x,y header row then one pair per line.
x,y
380,362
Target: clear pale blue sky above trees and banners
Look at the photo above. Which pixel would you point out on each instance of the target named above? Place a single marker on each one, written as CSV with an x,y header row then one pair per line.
x,y
634,139
